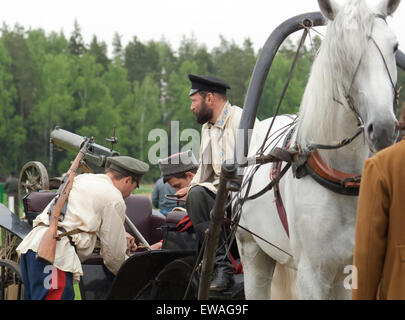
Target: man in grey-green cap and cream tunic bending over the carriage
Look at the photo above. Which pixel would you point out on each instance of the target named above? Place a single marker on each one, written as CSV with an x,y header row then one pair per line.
x,y
96,209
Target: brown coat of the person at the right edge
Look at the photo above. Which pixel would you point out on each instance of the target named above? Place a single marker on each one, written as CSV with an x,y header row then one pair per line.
x,y
379,251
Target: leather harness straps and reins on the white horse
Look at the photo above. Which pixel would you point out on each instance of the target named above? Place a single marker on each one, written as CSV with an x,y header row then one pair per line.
x,y
308,161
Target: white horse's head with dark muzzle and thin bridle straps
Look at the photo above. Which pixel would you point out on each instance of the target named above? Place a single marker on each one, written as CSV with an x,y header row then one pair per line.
x,y
364,61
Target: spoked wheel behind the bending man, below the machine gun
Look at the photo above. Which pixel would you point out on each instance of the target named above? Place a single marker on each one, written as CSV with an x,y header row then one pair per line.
x,y
33,177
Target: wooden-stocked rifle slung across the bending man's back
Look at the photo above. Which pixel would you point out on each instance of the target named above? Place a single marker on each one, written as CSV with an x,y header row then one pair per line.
x,y
47,246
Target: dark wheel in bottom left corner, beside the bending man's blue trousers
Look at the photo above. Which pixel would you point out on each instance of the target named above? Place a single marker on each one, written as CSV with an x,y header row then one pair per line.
x,y
11,285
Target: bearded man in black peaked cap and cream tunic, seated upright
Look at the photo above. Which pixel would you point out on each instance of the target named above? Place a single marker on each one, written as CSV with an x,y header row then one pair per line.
x,y
220,120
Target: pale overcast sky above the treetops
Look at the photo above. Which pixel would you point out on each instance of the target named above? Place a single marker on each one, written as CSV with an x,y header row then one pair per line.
x,y
153,19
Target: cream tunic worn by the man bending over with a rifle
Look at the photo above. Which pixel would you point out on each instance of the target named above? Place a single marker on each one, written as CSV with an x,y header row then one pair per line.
x,y
96,207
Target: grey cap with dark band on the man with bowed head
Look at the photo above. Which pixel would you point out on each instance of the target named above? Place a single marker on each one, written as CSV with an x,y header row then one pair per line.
x,y
178,163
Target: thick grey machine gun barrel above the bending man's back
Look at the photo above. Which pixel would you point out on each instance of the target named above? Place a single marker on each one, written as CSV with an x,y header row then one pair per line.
x,y
95,157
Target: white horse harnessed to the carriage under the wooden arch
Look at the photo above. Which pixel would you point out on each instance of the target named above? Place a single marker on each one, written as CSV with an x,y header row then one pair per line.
x,y
356,59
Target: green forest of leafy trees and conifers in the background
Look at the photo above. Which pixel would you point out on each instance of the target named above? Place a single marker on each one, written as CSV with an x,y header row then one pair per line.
x,y
50,79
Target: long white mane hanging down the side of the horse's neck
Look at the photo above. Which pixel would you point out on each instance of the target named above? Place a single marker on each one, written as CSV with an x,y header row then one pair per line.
x,y
332,74
